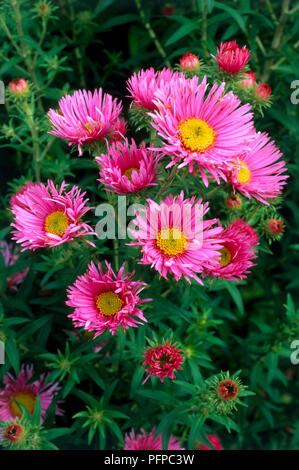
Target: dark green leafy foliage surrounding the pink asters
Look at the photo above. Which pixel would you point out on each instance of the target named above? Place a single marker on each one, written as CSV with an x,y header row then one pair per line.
x,y
65,45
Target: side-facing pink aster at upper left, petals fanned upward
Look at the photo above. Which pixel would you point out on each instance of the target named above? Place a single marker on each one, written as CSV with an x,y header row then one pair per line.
x,y
86,117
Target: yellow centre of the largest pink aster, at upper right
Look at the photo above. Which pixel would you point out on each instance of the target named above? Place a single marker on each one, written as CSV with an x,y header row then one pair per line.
x,y
196,135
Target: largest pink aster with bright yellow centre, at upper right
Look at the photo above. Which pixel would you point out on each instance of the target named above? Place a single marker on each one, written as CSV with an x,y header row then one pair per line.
x,y
208,131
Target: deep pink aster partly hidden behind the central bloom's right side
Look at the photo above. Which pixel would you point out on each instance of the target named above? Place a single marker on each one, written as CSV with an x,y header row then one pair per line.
x,y
237,252
